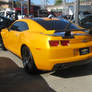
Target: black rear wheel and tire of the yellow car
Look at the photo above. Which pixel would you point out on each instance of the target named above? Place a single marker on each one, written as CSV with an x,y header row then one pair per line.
x,y
28,61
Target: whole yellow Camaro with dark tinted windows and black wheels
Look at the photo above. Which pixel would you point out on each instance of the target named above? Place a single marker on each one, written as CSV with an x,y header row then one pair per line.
x,y
47,44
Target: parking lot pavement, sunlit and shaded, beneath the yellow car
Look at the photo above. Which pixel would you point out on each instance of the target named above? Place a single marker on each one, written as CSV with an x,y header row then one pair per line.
x,y
14,79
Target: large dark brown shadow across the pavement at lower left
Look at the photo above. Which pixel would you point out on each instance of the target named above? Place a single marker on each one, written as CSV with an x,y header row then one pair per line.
x,y
14,79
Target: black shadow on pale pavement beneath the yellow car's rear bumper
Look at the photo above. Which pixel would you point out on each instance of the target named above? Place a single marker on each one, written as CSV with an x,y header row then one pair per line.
x,y
77,71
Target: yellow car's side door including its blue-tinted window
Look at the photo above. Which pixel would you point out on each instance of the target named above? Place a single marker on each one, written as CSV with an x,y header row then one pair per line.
x,y
14,38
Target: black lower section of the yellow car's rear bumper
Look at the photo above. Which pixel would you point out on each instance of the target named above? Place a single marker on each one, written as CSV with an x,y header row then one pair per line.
x,y
60,66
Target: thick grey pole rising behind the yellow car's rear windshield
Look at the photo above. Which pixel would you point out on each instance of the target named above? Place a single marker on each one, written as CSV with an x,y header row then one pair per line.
x,y
76,11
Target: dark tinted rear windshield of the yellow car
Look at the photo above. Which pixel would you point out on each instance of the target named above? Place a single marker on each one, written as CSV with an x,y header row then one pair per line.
x,y
56,24
